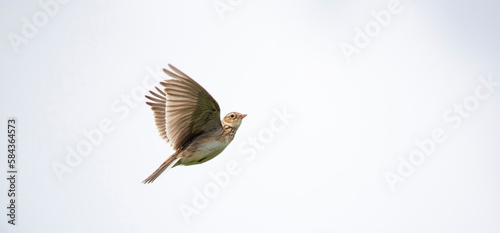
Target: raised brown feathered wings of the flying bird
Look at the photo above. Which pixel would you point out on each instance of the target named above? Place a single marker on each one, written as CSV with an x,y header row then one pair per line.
x,y
184,109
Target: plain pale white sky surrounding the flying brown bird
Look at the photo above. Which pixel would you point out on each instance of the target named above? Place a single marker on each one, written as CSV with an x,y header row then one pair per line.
x,y
322,171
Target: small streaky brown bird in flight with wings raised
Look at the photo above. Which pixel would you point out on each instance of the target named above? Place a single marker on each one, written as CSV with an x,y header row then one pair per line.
x,y
188,118
